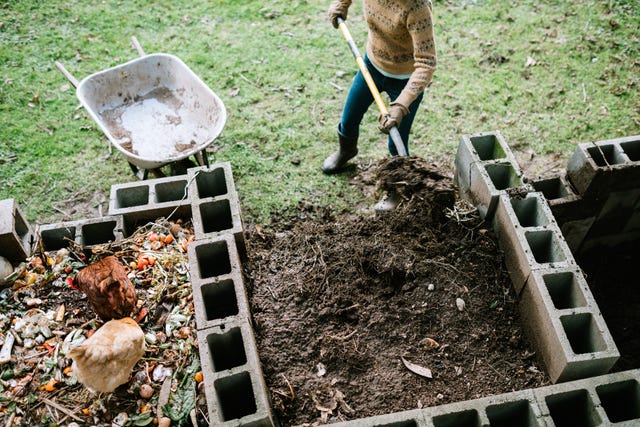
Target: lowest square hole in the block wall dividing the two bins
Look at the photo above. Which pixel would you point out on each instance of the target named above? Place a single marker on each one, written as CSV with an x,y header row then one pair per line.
x,y
235,396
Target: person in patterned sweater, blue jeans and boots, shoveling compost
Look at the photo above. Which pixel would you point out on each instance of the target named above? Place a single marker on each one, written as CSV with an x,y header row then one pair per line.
x,y
401,58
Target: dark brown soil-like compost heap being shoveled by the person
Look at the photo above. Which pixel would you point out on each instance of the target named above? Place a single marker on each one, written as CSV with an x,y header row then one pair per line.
x,y
359,315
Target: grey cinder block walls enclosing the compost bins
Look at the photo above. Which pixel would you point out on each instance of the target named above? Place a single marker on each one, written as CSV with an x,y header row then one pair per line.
x,y
562,314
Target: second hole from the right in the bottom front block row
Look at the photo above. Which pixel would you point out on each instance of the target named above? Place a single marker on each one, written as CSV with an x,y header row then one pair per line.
x,y
573,408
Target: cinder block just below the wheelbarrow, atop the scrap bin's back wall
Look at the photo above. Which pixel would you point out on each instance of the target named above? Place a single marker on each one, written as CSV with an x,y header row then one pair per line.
x,y
142,201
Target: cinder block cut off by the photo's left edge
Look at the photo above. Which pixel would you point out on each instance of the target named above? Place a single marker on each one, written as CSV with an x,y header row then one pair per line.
x,y
16,234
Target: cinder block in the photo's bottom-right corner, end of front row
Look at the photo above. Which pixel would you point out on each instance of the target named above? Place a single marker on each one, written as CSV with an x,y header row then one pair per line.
x,y
612,399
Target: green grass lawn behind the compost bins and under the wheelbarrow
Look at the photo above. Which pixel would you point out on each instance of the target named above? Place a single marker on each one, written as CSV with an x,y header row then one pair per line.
x,y
283,71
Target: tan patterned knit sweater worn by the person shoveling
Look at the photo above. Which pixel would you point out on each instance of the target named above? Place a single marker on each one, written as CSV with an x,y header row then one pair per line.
x,y
401,41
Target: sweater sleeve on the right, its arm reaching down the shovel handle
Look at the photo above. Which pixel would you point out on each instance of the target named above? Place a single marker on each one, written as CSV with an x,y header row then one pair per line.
x,y
420,26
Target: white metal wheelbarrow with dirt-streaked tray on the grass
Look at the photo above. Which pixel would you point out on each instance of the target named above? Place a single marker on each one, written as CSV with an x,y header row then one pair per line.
x,y
153,109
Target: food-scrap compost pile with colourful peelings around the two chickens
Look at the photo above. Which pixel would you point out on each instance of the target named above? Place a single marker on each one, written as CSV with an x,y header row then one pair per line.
x,y
45,317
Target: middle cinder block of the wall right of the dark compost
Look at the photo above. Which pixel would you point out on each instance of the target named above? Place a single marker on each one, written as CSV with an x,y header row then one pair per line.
x,y
529,237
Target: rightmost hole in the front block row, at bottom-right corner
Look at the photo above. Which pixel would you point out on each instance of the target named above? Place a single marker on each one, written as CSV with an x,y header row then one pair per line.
x,y
621,401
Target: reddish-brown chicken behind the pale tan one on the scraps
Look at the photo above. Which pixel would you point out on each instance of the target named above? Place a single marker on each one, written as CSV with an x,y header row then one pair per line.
x,y
109,291
